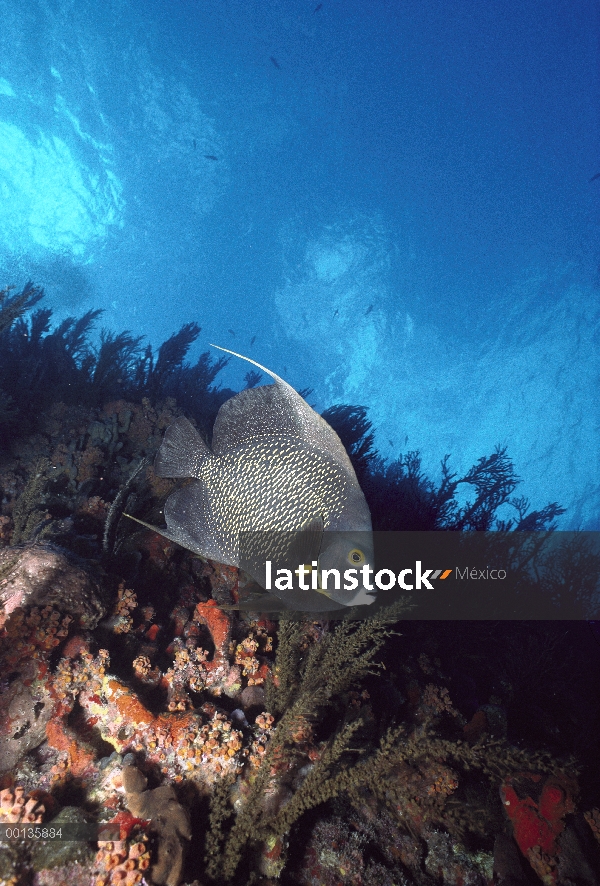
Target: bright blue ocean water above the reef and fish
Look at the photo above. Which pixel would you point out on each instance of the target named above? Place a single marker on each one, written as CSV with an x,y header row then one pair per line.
x,y
388,202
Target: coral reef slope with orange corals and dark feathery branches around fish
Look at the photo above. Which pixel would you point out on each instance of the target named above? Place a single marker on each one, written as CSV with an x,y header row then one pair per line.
x,y
229,749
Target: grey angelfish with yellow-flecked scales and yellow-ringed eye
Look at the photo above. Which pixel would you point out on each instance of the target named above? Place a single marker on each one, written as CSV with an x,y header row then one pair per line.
x,y
276,485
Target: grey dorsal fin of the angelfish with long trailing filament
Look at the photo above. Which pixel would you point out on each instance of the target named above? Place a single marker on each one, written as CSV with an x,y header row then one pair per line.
x,y
270,411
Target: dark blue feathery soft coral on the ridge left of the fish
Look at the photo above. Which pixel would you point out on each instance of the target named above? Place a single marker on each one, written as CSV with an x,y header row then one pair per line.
x,y
40,366
